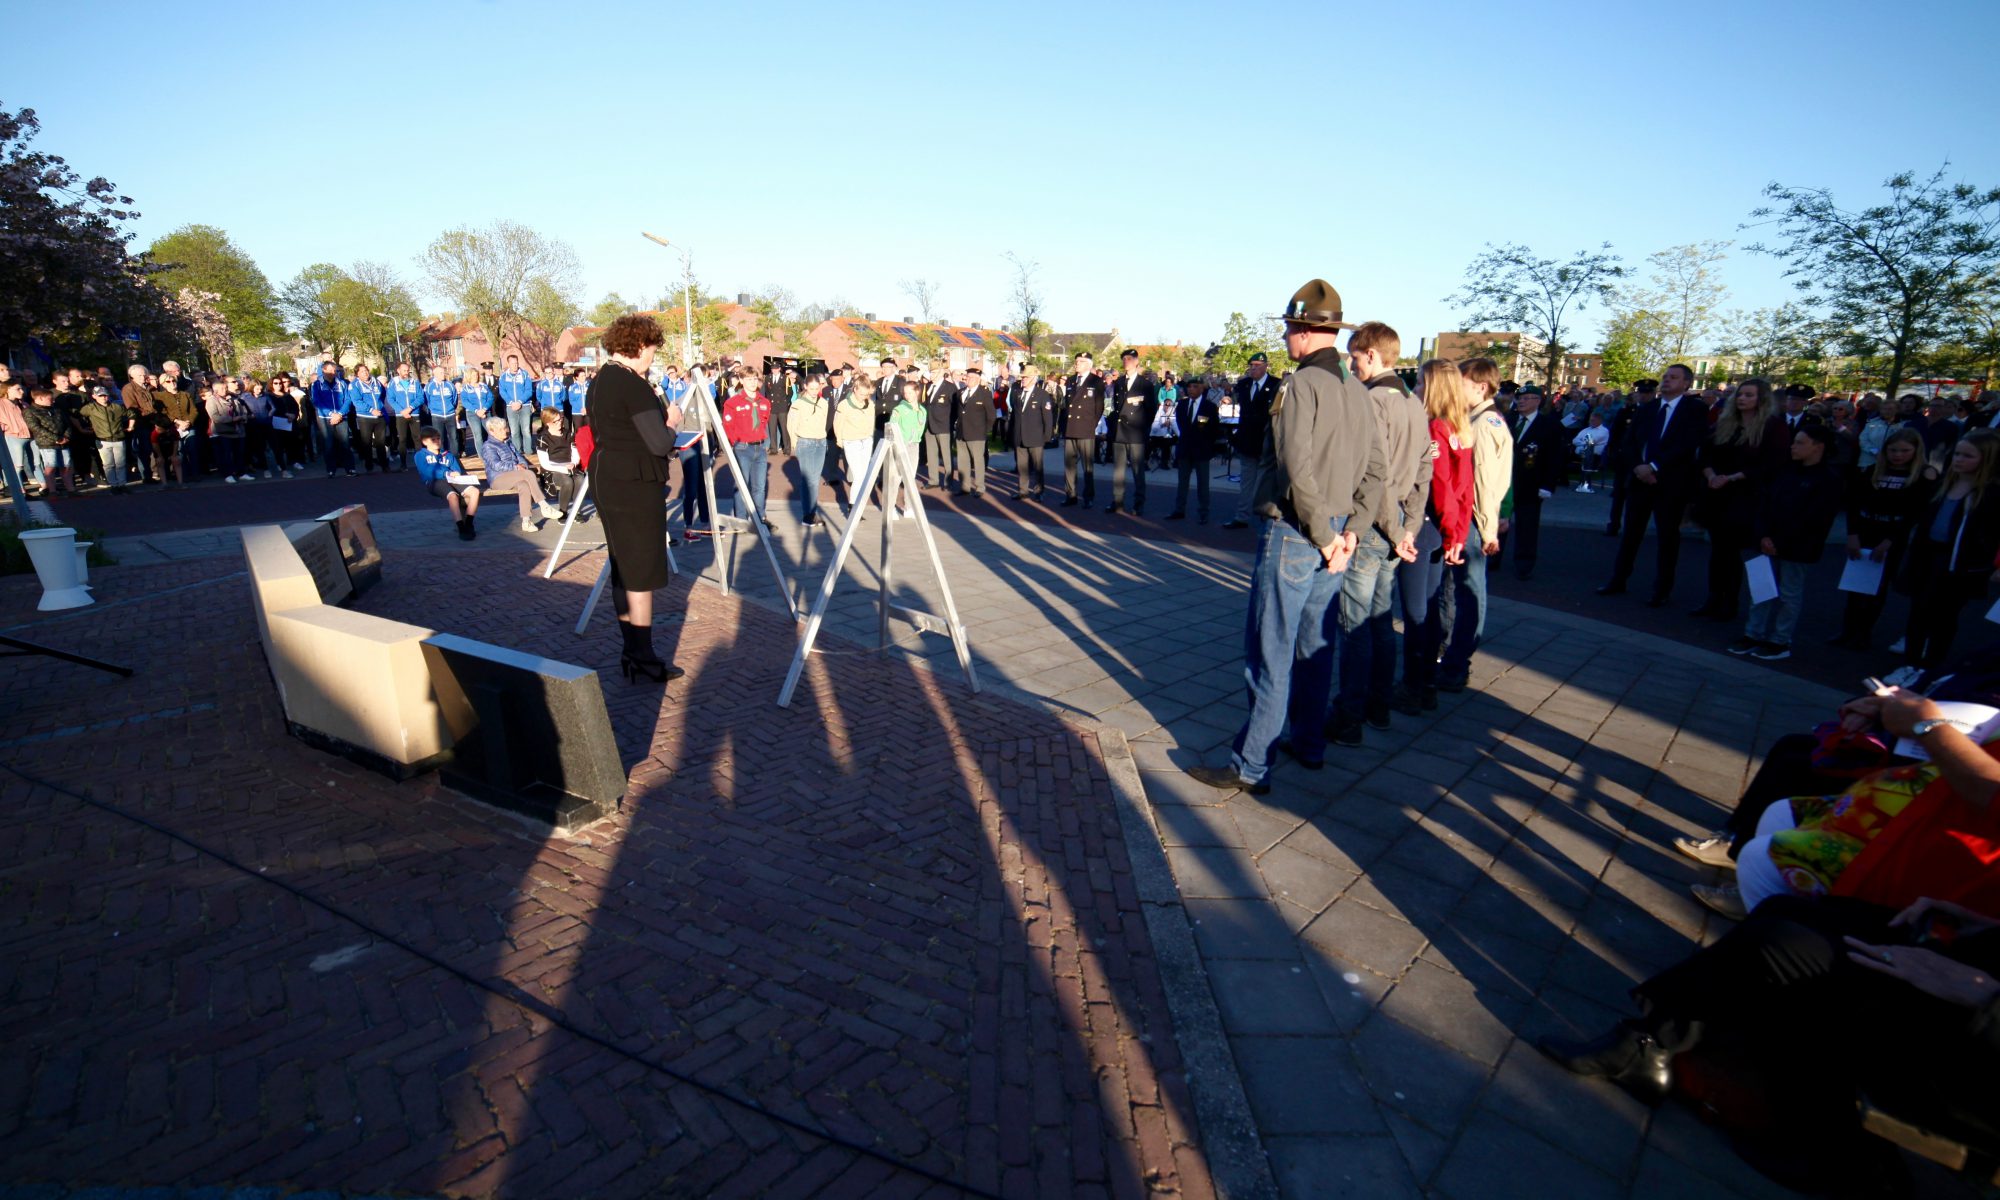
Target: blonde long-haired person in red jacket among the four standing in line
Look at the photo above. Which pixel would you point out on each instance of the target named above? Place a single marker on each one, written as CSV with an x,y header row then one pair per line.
x,y
1447,525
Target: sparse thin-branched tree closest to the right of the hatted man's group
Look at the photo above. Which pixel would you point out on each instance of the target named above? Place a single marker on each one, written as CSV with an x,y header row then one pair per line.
x,y
1513,287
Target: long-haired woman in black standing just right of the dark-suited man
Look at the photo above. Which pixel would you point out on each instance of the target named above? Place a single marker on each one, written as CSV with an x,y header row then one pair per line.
x,y
1749,445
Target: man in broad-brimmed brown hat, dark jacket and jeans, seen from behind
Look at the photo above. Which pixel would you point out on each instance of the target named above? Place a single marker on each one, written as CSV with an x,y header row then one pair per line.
x,y
1321,471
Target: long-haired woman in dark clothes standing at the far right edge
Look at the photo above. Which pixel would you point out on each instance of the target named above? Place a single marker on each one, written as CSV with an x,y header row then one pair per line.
x,y
1953,549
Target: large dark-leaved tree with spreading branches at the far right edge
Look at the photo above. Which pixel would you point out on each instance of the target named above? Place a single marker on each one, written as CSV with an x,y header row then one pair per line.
x,y
1895,277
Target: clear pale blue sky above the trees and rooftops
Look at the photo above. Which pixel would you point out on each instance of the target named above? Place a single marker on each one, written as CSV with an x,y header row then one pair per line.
x,y
837,149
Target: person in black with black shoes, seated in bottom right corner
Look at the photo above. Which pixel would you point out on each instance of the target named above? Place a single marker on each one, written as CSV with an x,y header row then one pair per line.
x,y
1801,1011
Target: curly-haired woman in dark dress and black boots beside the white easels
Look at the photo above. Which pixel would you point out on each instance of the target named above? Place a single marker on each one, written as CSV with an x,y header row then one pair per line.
x,y
633,445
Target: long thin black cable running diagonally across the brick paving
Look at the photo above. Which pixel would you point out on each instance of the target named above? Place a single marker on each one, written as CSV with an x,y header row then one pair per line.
x,y
505,991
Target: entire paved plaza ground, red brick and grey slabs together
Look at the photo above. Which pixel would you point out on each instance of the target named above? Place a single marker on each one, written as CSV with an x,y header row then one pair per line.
x,y
895,941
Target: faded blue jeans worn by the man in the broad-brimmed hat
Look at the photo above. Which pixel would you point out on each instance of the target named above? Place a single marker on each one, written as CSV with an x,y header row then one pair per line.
x,y
1289,649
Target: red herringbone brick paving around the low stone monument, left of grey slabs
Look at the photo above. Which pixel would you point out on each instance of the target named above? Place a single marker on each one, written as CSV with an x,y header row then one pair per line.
x,y
897,917
